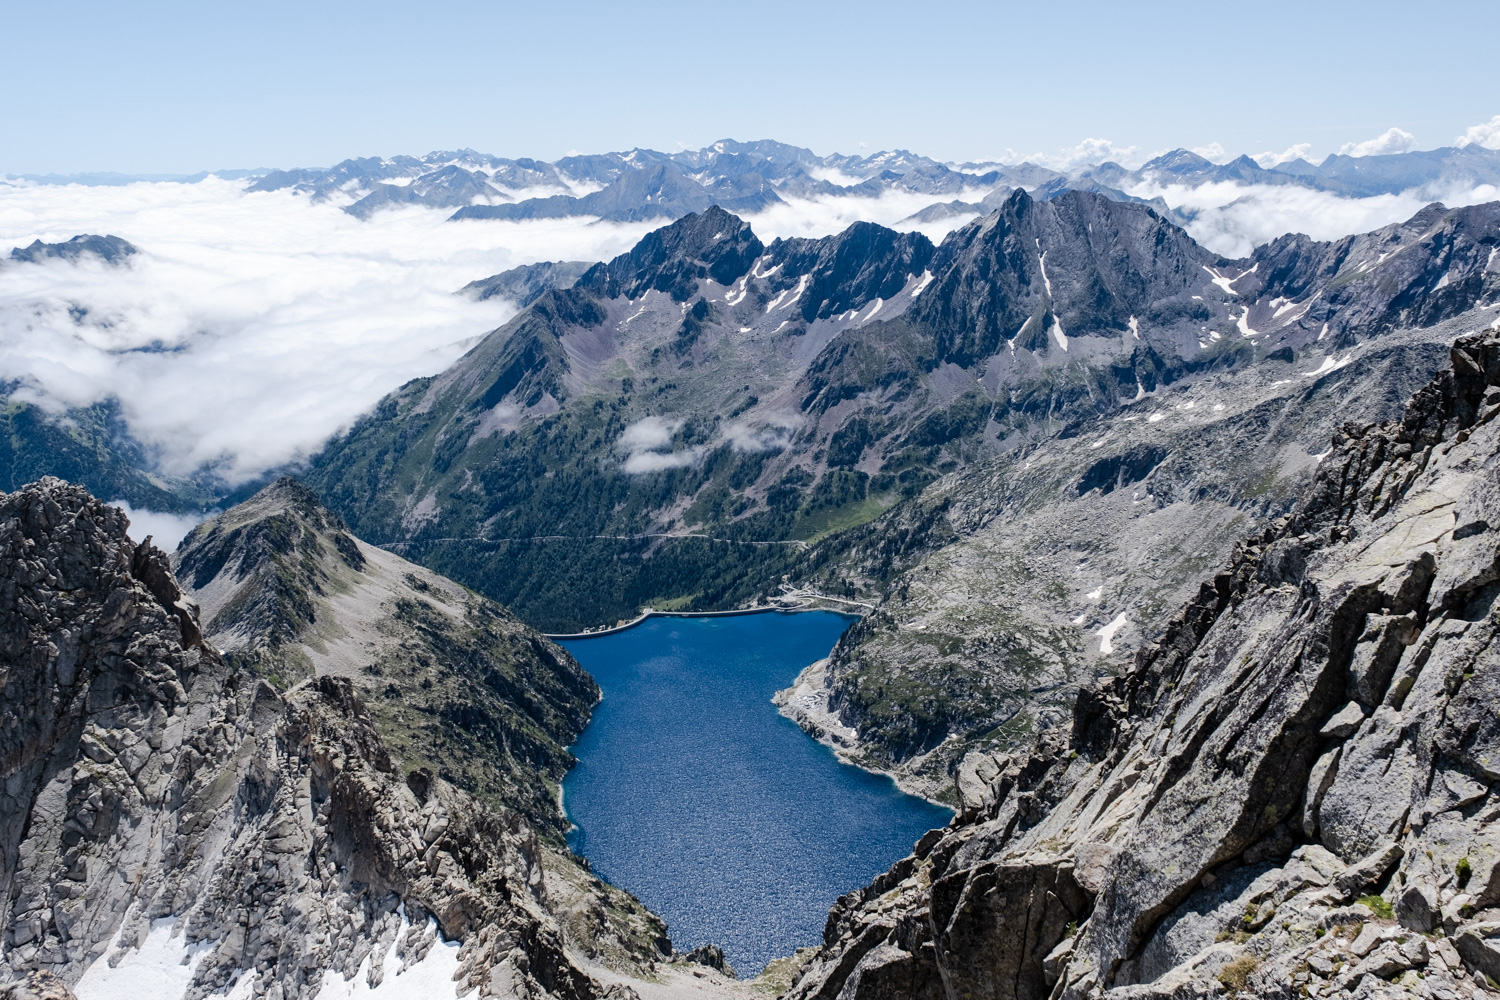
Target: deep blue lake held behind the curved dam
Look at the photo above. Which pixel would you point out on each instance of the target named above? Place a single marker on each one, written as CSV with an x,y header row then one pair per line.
x,y
698,797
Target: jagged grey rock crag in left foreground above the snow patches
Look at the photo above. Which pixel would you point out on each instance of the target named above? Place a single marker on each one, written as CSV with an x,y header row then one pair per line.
x,y
154,794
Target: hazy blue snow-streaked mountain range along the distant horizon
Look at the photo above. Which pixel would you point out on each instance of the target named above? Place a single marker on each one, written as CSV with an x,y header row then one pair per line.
x,y
749,178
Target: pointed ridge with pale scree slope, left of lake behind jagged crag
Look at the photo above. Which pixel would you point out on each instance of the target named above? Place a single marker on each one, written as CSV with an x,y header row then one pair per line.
x,y
452,681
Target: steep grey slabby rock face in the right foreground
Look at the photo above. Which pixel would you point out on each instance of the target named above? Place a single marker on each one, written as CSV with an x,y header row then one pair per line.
x,y
1289,794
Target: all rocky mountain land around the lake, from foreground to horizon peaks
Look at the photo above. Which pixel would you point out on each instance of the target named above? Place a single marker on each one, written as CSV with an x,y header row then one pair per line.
x,y
1177,578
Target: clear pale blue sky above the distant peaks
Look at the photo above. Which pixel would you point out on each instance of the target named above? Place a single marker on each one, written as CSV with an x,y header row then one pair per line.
x,y
179,88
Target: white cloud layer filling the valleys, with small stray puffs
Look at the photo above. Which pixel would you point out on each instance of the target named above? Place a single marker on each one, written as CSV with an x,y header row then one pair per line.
x,y
254,326
